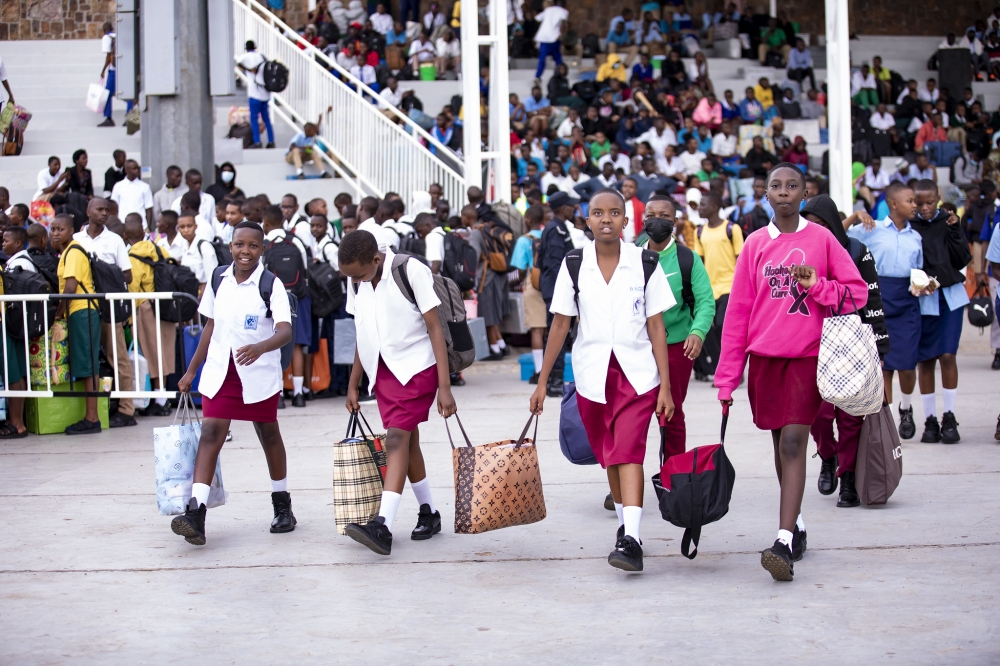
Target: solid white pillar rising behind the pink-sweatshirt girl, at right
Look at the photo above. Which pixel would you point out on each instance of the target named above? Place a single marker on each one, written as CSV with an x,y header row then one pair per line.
x,y
838,110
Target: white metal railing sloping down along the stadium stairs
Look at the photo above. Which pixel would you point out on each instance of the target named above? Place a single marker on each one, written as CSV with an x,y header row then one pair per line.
x,y
383,154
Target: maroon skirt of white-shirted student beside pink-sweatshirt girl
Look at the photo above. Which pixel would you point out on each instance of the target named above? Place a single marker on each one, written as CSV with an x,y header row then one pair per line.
x,y
618,429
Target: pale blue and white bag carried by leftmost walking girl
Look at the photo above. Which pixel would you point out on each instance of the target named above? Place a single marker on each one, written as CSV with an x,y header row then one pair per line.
x,y
175,449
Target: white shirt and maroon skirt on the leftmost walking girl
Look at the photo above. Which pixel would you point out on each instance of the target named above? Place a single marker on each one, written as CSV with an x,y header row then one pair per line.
x,y
244,392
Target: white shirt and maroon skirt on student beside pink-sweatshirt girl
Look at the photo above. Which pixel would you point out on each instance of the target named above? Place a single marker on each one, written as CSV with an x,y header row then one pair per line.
x,y
617,380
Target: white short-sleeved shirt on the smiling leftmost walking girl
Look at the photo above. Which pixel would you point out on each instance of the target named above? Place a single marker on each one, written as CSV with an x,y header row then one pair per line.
x,y
239,315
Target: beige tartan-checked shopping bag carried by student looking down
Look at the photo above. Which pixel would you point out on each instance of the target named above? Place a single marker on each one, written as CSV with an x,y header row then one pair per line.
x,y
358,474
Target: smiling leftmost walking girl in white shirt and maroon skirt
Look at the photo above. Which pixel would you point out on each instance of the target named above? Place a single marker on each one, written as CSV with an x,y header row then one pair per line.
x,y
241,378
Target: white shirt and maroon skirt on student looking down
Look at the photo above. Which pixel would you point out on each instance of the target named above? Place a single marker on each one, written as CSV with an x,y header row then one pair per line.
x,y
393,345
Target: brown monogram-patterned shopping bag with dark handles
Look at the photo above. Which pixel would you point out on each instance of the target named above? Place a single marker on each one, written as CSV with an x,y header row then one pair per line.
x,y
496,485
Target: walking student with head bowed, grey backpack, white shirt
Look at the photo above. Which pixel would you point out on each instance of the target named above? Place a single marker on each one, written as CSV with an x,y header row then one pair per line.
x,y
402,350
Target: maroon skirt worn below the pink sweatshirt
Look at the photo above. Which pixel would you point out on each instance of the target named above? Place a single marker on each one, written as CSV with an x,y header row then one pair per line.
x,y
783,391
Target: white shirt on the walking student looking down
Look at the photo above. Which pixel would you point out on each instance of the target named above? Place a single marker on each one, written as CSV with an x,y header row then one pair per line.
x,y
389,326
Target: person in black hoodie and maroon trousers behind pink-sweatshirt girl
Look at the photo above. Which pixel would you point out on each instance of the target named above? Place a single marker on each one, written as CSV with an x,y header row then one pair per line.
x,y
840,453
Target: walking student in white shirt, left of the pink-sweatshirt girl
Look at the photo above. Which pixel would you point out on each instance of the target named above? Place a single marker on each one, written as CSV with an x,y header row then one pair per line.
x,y
622,371
